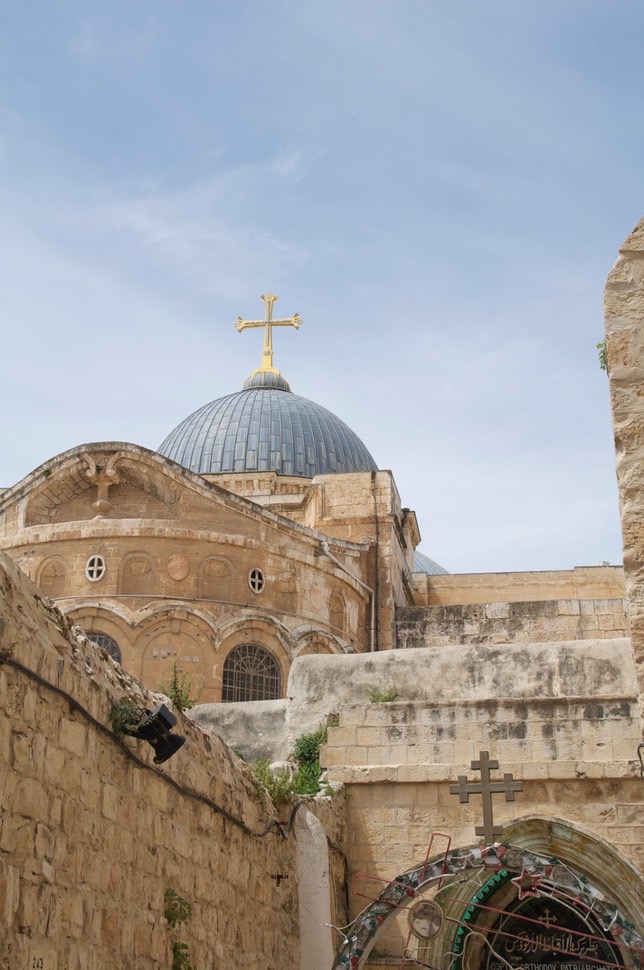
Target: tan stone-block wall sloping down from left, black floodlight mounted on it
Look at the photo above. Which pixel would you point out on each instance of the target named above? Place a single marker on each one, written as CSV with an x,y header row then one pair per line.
x,y
91,838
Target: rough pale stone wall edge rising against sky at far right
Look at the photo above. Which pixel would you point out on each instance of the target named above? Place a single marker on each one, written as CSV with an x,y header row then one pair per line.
x,y
624,323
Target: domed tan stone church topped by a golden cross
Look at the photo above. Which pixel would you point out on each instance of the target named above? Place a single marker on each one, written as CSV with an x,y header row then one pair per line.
x,y
262,531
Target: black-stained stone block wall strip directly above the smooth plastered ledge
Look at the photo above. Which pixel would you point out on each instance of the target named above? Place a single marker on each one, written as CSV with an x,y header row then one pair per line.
x,y
537,622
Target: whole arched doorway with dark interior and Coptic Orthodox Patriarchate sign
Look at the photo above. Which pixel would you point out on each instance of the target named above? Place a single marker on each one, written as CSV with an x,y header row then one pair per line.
x,y
504,907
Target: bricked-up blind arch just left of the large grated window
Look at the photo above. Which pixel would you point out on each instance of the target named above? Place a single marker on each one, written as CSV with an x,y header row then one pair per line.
x,y
169,636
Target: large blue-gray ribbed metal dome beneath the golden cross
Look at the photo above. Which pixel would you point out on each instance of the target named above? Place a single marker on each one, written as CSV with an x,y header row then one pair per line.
x,y
265,427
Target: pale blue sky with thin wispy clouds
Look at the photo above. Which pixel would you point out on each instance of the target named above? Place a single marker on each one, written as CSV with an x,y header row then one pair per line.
x,y
438,187
